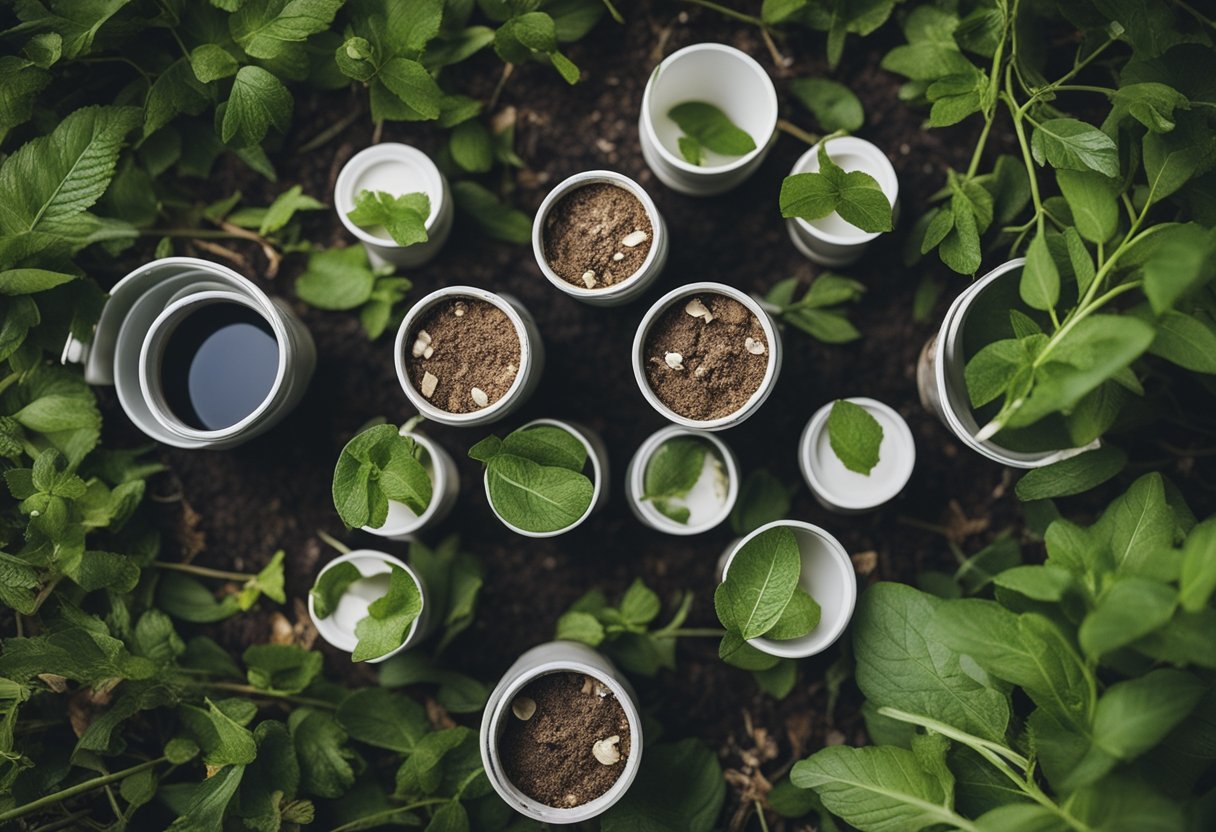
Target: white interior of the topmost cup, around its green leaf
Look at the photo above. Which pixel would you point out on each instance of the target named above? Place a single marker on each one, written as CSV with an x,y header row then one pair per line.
x,y
720,76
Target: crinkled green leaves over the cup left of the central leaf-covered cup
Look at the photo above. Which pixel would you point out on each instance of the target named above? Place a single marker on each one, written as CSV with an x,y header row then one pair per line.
x,y
380,465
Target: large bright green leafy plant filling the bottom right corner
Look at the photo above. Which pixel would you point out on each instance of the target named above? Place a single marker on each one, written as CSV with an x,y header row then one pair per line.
x,y
1080,698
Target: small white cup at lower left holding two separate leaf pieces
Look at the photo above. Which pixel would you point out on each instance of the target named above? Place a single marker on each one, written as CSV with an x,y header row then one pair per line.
x,y
370,605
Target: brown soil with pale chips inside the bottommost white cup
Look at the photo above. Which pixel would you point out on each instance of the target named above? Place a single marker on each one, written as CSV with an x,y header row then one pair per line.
x,y
550,756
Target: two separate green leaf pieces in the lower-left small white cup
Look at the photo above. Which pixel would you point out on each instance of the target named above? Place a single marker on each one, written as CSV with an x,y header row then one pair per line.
x,y
390,617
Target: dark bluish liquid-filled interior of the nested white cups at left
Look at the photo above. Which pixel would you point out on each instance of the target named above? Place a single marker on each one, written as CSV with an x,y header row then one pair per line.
x,y
219,366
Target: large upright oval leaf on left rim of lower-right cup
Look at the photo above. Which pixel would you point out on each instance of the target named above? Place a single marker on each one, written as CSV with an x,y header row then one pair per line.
x,y
759,584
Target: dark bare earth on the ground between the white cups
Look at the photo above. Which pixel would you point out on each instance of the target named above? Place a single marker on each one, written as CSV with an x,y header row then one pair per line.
x,y
233,510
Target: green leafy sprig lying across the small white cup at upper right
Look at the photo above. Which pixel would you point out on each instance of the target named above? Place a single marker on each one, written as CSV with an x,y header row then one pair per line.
x,y
855,196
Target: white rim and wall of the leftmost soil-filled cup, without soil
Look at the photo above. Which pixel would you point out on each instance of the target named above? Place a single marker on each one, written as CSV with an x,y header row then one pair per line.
x,y
532,357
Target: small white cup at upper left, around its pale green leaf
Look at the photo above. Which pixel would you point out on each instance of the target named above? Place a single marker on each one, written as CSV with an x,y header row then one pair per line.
x,y
396,170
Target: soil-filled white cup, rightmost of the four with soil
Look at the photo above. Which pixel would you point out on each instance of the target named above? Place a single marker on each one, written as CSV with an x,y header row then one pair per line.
x,y
707,356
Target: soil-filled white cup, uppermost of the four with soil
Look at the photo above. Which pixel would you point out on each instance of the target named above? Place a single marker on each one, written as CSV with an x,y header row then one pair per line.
x,y
600,239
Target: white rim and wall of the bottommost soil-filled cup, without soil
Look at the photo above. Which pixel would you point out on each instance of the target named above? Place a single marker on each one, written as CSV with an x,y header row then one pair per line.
x,y
544,660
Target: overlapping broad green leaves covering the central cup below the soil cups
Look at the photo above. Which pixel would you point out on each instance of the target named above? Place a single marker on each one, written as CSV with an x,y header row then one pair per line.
x,y
534,477
